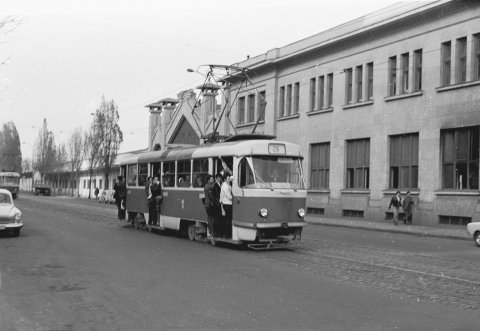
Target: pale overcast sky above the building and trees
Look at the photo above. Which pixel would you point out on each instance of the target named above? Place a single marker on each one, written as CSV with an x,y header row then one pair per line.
x,y
67,54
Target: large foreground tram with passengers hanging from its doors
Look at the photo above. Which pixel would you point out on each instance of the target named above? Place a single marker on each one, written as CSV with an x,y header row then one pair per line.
x,y
269,195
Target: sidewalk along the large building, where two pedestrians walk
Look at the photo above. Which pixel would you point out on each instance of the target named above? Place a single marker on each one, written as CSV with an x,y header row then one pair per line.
x,y
451,232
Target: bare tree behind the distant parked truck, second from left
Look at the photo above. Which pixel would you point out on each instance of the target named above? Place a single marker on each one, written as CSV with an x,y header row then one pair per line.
x,y
44,154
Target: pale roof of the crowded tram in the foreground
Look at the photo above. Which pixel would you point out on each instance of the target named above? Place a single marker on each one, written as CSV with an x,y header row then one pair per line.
x,y
233,148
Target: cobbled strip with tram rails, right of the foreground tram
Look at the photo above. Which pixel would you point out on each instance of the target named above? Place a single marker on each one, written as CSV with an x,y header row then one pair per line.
x,y
422,277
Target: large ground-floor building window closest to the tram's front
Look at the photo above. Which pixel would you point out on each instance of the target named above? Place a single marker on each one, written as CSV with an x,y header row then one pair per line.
x,y
319,165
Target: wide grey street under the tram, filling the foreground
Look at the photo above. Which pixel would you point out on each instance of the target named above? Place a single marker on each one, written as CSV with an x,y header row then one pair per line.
x,y
76,267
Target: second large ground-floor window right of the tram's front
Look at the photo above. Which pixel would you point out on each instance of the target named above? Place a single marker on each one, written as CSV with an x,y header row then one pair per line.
x,y
358,163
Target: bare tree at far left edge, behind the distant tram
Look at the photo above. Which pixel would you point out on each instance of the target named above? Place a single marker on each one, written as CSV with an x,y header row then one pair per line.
x,y
10,152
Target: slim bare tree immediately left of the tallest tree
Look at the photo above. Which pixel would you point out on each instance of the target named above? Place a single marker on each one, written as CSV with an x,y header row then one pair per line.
x,y
93,145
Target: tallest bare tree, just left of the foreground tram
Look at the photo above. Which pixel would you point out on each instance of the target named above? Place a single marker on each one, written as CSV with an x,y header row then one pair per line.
x,y
112,136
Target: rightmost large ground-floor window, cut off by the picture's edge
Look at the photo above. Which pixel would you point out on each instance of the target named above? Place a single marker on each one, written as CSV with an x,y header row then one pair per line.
x,y
460,151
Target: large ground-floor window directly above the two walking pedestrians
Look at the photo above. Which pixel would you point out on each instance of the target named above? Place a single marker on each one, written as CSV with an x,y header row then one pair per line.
x,y
404,161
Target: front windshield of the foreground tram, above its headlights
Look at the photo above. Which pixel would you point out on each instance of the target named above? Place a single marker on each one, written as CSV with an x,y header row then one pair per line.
x,y
271,172
